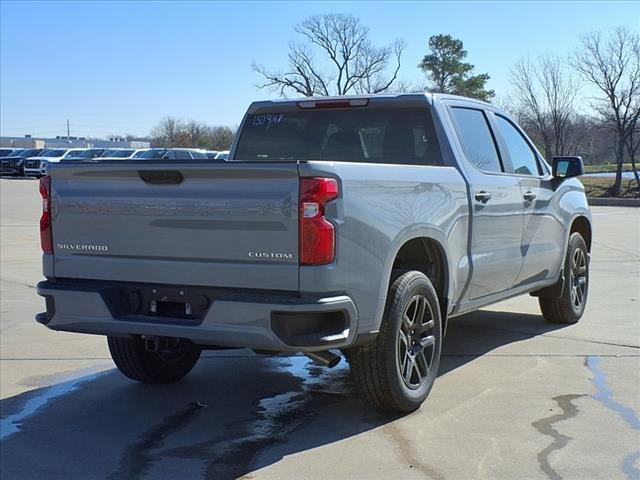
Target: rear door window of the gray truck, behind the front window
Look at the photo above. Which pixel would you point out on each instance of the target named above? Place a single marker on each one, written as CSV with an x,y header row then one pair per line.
x,y
476,139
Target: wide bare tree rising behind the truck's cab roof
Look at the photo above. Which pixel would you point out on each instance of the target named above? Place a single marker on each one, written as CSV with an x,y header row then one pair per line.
x,y
350,63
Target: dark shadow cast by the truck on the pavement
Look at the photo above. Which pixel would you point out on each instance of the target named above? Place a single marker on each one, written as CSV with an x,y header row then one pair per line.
x,y
234,414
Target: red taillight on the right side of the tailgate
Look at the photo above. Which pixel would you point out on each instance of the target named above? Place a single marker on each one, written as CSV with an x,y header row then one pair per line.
x,y
317,234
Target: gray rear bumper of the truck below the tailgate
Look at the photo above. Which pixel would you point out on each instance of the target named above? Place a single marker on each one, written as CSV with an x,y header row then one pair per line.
x,y
231,318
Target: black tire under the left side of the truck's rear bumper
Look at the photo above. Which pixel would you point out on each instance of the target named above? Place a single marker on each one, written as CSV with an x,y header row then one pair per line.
x,y
166,366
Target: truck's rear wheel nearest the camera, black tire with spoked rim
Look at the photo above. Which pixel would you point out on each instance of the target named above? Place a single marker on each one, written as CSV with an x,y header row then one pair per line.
x,y
397,371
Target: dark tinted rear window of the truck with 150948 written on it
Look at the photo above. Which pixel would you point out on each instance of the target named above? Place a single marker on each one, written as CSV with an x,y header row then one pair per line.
x,y
368,134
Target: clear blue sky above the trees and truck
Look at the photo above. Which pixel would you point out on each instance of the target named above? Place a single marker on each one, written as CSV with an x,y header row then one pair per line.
x,y
118,67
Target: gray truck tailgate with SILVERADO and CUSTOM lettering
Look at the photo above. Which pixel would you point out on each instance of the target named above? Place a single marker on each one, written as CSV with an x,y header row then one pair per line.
x,y
223,225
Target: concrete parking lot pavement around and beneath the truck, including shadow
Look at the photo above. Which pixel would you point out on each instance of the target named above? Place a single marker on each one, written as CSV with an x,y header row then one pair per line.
x,y
516,398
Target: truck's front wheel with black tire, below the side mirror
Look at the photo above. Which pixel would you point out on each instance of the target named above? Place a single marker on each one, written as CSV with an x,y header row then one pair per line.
x,y
570,305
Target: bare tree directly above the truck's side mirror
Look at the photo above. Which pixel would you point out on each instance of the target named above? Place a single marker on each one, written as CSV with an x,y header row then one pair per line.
x,y
545,95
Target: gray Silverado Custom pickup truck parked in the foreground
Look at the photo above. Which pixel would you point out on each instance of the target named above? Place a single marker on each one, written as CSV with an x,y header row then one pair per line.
x,y
352,225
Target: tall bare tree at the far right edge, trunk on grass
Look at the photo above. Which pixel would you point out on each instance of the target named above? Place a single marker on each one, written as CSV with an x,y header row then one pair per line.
x,y
613,67
